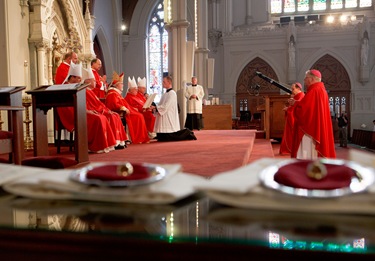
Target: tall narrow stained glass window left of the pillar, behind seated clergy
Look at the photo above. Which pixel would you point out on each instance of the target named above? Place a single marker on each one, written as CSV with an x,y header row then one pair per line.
x,y
157,51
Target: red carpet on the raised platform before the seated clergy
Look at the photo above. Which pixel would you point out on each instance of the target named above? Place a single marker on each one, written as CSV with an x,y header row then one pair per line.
x,y
213,152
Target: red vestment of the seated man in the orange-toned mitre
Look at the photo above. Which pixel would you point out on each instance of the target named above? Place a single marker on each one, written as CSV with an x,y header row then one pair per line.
x,y
135,121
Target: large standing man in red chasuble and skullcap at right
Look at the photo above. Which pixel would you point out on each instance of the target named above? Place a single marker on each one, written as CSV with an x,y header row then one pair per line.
x,y
313,124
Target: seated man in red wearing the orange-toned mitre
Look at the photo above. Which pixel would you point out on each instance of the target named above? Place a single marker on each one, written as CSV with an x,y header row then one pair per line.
x,y
134,120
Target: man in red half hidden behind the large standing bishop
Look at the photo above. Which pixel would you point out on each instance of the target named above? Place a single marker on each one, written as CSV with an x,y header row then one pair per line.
x,y
287,140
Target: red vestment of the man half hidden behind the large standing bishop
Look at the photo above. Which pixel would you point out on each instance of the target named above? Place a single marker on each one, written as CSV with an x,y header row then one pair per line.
x,y
287,141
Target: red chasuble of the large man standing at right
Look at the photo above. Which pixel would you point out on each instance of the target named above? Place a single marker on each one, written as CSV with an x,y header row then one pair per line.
x,y
313,118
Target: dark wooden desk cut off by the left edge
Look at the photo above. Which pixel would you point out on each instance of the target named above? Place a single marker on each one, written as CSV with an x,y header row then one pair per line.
x,y
11,141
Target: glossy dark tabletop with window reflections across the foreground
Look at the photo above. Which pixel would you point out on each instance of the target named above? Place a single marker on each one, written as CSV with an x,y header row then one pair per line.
x,y
197,221
